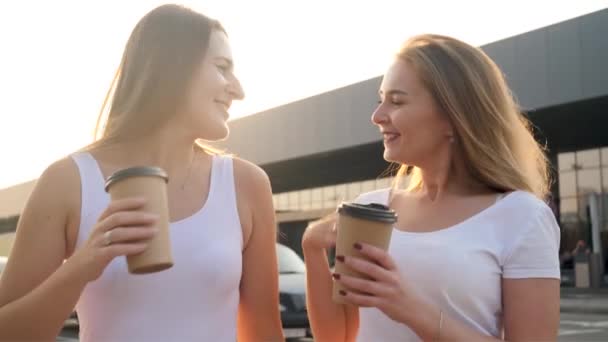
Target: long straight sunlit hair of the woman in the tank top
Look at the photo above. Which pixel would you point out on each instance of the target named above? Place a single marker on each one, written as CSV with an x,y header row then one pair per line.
x,y
160,58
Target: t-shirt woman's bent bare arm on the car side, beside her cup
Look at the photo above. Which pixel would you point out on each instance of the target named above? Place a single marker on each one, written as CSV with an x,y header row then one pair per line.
x,y
329,321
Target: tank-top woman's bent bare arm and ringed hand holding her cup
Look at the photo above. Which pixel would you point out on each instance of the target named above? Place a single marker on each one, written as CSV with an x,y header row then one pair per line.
x,y
38,290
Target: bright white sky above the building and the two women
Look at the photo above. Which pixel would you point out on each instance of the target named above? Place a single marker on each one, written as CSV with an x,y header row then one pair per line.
x,y
58,57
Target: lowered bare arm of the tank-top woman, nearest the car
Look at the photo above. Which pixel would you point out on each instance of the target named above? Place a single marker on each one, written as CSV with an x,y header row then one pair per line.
x,y
259,318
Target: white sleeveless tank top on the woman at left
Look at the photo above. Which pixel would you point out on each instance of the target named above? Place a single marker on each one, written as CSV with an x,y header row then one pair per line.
x,y
196,299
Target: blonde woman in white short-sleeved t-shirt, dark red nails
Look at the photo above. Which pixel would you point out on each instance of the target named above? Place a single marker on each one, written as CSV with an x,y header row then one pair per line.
x,y
474,254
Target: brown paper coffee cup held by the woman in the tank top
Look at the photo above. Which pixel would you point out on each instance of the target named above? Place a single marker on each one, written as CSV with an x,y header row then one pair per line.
x,y
150,183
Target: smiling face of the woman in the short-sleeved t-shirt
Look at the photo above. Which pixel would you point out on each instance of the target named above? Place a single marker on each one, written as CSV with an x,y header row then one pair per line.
x,y
413,128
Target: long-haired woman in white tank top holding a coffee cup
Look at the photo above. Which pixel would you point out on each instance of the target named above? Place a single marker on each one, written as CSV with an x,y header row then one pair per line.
x,y
174,86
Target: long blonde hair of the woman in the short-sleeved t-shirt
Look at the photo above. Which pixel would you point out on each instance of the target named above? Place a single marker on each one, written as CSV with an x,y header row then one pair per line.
x,y
497,143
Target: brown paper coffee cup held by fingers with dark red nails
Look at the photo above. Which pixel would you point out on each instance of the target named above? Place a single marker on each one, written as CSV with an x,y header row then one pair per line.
x,y
363,223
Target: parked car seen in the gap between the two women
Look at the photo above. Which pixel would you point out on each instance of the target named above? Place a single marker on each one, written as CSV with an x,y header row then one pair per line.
x,y
292,292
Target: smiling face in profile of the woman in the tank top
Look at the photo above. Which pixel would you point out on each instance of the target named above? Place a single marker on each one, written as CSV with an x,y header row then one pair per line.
x,y
212,90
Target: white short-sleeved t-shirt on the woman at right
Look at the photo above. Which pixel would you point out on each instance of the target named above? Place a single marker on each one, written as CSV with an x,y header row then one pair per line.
x,y
460,268
